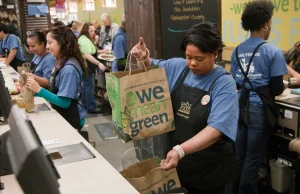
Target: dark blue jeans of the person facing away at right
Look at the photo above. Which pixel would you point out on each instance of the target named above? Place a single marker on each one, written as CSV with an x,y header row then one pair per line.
x,y
250,145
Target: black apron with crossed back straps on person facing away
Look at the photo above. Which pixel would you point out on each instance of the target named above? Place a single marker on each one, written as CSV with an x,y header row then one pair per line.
x,y
264,93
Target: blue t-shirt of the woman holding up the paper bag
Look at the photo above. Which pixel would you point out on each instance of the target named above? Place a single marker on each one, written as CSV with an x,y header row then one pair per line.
x,y
223,107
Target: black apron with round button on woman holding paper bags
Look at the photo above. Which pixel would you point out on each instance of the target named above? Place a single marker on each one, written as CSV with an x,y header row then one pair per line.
x,y
209,168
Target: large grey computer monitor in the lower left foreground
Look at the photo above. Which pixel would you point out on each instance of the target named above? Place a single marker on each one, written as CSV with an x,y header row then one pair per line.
x,y
30,162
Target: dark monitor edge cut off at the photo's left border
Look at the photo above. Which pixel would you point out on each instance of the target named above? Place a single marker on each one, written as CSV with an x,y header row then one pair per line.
x,y
5,103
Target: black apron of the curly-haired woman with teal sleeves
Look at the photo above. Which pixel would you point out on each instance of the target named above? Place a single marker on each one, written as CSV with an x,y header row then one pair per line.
x,y
72,113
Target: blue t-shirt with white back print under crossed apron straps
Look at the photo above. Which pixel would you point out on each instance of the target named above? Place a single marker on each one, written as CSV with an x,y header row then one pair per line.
x,y
268,62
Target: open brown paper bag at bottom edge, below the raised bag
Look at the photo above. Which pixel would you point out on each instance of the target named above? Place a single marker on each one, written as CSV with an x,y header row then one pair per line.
x,y
147,177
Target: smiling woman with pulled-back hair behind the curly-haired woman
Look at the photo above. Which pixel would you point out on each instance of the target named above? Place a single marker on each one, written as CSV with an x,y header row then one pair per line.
x,y
42,62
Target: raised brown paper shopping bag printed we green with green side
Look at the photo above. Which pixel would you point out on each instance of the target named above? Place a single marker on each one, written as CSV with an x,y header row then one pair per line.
x,y
141,103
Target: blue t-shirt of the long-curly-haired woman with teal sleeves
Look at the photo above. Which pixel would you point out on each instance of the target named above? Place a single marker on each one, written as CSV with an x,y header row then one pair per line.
x,y
68,82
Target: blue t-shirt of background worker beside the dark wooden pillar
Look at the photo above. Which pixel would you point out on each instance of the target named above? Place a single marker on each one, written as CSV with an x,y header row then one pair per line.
x,y
119,46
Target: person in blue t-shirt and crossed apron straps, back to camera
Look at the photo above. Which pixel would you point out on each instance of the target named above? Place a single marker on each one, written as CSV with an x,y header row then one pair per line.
x,y
258,68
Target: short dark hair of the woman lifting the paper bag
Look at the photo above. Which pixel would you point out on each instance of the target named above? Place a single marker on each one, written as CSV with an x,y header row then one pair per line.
x,y
204,36
